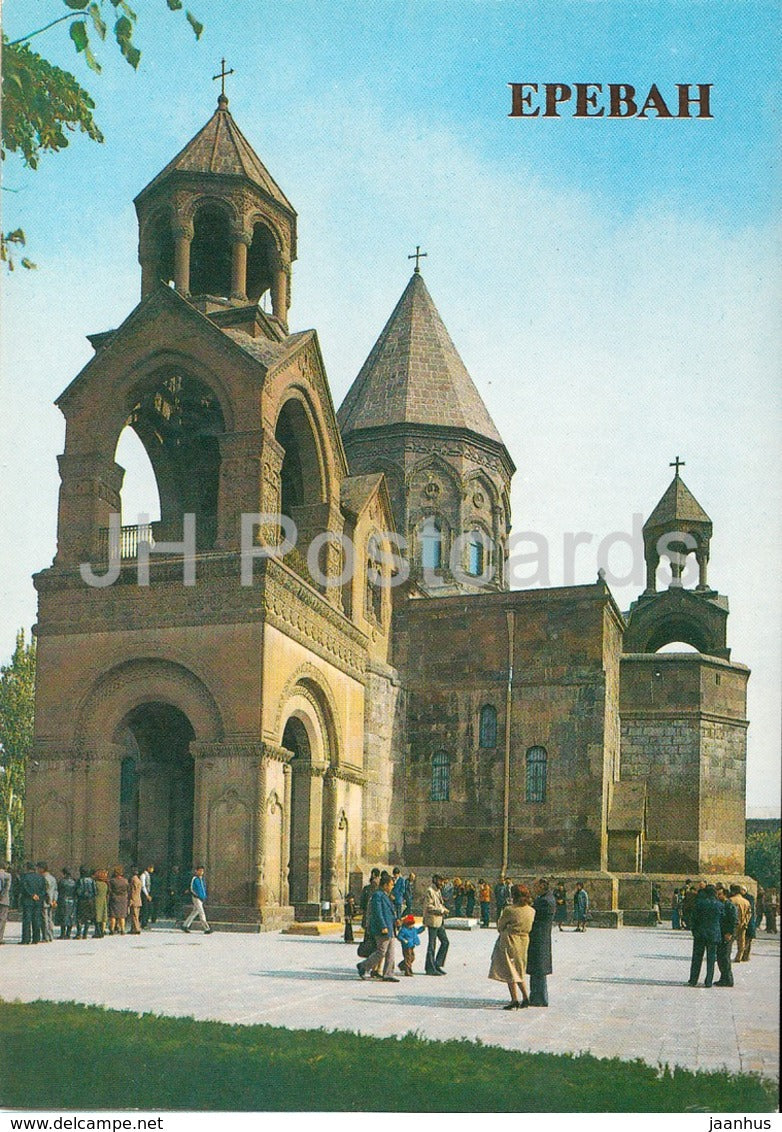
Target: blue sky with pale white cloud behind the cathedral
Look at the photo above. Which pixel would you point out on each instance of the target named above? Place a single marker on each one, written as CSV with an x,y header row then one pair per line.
x,y
614,288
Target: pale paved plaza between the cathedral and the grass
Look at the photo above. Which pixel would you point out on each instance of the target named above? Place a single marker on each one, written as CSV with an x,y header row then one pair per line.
x,y
614,993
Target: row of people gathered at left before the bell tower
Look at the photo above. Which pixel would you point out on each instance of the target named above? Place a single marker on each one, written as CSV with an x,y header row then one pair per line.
x,y
107,903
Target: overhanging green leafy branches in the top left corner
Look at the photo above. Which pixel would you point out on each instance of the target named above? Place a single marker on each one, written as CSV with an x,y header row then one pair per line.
x,y
44,105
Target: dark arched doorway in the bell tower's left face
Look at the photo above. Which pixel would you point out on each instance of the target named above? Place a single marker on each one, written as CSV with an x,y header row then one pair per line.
x,y
157,788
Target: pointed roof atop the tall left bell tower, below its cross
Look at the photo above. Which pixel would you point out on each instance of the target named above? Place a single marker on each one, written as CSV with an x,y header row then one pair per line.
x,y
221,149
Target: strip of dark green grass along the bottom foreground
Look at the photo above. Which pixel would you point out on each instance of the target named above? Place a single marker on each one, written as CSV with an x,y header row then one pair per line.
x,y
50,1051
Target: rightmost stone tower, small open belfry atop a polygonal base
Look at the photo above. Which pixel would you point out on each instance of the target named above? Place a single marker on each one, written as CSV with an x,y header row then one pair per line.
x,y
684,714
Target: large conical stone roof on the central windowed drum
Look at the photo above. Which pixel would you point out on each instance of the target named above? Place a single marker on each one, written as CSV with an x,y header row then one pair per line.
x,y
415,376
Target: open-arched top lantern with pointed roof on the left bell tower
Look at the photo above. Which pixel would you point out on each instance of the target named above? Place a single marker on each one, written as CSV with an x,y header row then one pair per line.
x,y
217,225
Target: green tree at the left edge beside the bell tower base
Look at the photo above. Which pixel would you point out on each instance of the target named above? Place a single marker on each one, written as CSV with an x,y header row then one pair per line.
x,y
18,687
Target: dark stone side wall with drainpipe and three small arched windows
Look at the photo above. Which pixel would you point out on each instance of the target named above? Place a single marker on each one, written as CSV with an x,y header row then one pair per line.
x,y
458,664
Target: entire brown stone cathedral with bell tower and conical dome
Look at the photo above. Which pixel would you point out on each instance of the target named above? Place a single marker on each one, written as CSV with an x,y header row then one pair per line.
x,y
313,663
